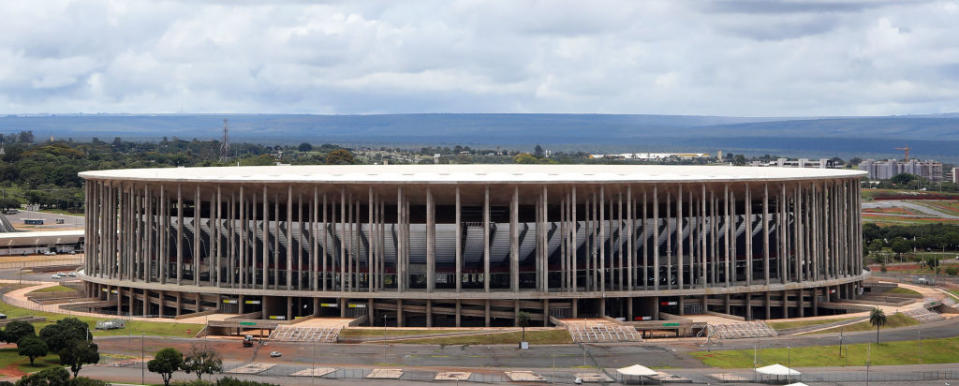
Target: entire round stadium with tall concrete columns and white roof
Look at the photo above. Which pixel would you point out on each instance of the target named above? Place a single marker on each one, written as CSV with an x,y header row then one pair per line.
x,y
472,245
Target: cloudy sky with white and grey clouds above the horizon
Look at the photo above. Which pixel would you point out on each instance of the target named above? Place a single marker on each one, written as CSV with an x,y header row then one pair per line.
x,y
743,57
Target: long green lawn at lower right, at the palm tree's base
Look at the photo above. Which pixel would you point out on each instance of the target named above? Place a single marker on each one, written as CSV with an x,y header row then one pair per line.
x,y
893,353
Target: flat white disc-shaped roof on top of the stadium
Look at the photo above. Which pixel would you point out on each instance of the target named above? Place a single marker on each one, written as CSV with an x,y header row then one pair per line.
x,y
450,174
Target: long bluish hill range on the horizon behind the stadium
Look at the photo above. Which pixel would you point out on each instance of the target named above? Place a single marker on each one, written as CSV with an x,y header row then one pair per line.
x,y
930,136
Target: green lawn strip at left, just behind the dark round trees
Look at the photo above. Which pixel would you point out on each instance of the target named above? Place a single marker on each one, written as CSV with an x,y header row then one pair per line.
x,y
132,327
